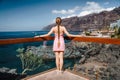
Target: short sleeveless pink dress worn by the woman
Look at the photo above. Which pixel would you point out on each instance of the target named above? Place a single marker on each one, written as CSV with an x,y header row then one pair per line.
x,y
62,43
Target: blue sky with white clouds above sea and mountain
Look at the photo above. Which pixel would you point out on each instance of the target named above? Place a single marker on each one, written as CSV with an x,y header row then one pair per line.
x,y
33,15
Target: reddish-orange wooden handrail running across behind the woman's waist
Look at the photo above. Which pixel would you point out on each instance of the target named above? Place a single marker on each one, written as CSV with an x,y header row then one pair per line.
x,y
80,39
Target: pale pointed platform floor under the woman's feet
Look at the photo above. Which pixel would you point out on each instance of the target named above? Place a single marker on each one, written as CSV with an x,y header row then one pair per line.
x,y
54,74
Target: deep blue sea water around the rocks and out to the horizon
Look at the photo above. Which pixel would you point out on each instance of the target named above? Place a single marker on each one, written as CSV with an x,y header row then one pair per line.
x,y
8,53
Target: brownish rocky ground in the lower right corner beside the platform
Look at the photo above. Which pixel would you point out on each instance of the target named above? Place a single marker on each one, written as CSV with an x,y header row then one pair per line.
x,y
102,63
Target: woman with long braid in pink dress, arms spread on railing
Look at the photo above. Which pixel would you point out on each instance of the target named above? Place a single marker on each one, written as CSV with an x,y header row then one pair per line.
x,y
59,44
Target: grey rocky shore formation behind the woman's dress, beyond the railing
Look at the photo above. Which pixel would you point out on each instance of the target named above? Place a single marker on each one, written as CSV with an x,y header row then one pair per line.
x,y
72,50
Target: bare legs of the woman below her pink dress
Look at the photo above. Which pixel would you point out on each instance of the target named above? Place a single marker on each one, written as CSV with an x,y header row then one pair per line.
x,y
59,60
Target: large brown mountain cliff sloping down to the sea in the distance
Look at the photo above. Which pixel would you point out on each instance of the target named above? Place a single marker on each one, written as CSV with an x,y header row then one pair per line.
x,y
91,21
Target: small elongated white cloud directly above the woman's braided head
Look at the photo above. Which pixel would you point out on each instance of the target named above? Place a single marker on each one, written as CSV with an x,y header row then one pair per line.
x,y
69,11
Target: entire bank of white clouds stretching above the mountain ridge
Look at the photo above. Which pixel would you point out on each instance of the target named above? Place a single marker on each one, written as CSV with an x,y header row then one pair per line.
x,y
90,7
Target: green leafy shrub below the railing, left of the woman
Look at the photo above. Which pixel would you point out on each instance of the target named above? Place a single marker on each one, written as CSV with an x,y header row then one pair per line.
x,y
30,61
